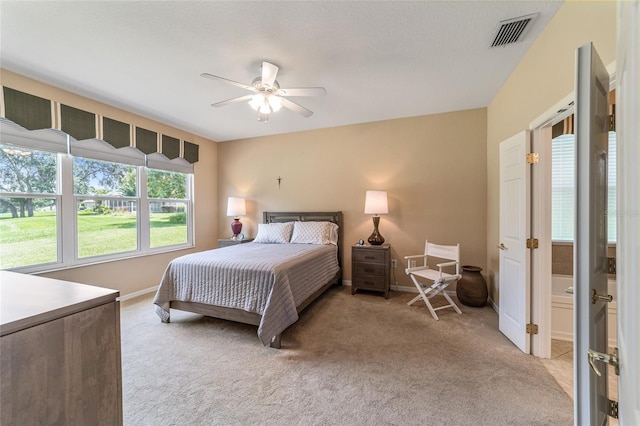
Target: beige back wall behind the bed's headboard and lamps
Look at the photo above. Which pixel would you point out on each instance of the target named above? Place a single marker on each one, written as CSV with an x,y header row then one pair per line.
x,y
433,167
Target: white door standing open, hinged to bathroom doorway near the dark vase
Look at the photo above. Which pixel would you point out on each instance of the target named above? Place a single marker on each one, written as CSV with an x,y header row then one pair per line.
x,y
514,229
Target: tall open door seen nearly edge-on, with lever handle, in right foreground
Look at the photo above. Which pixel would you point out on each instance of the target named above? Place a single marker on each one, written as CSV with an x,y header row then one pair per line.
x,y
590,251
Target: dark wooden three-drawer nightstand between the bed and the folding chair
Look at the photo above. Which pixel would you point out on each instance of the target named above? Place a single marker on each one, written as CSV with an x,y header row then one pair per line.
x,y
370,267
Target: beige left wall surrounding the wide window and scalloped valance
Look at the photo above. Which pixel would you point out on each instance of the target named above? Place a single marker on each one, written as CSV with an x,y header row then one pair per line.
x,y
138,273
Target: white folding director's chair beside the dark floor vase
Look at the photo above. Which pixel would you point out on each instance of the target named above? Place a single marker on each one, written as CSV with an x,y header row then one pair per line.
x,y
440,279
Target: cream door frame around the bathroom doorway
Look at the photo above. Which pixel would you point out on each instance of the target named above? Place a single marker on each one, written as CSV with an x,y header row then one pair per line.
x,y
541,220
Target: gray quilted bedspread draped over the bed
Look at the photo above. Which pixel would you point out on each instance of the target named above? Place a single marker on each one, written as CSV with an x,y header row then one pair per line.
x,y
267,279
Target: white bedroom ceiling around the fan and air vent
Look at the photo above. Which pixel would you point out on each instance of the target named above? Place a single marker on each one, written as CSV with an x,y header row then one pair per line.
x,y
377,60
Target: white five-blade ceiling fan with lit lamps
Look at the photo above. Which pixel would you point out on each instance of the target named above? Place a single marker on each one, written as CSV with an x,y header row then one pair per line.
x,y
268,96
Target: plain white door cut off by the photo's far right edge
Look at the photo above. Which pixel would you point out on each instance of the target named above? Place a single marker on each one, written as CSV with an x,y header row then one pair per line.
x,y
628,196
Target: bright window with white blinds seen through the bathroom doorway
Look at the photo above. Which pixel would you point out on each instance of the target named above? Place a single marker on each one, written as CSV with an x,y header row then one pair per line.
x,y
563,188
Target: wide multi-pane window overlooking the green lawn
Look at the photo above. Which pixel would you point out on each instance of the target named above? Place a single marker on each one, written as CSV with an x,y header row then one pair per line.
x,y
100,205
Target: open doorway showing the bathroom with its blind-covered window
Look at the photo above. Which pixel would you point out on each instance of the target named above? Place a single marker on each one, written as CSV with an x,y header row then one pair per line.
x,y
556,139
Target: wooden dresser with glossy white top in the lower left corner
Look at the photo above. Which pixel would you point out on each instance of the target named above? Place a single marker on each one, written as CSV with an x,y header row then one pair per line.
x,y
59,352
